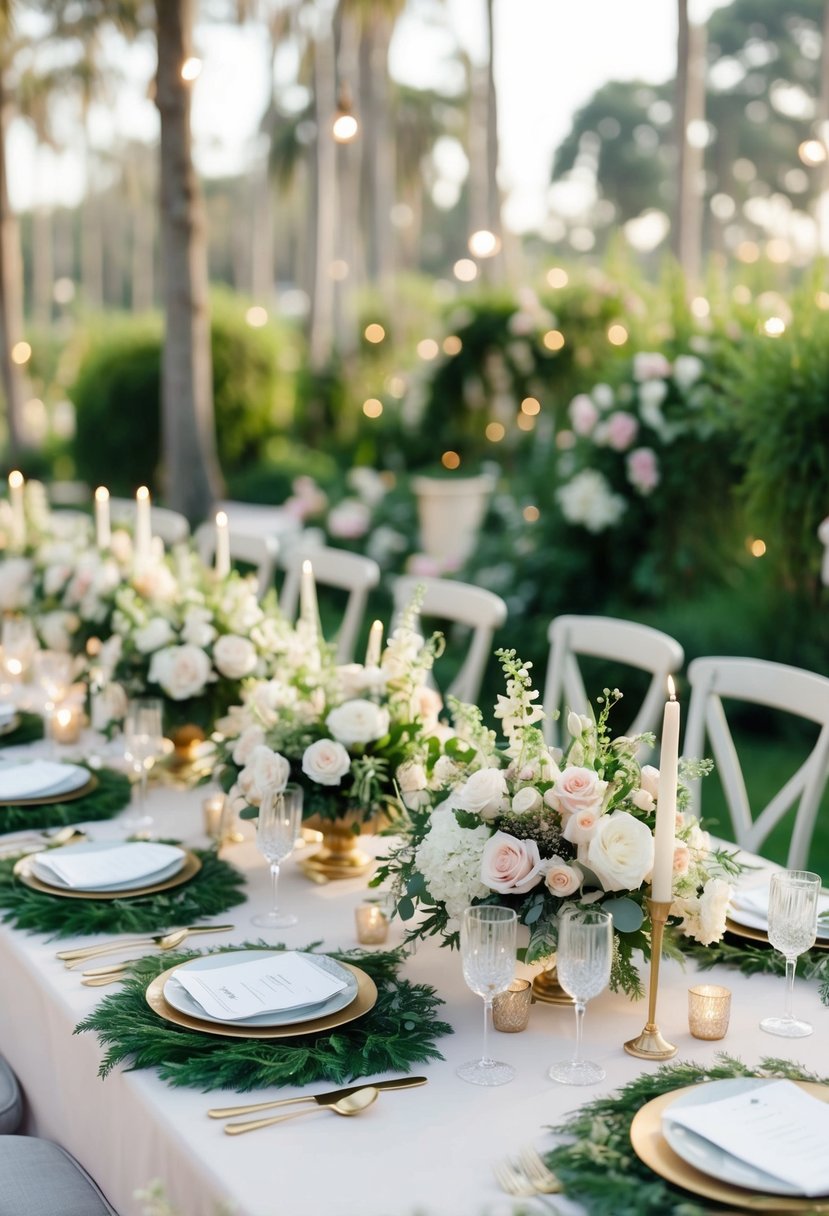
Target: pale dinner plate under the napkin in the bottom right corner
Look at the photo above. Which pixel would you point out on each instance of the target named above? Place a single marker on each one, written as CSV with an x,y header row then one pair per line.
x,y
706,1156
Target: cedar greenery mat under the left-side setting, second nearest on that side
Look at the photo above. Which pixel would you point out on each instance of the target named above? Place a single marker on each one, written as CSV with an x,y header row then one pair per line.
x,y
215,890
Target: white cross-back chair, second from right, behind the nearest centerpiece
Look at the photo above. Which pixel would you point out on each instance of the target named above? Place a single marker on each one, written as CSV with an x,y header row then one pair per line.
x,y
616,641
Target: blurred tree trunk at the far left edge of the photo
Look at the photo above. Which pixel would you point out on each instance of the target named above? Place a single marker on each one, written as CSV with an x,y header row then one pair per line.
x,y
12,297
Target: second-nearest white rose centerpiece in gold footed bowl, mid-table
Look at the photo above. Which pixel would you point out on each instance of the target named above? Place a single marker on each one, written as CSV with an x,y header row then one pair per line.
x,y
347,735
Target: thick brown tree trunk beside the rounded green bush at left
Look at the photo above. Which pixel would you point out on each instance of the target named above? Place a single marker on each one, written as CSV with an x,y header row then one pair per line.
x,y
191,472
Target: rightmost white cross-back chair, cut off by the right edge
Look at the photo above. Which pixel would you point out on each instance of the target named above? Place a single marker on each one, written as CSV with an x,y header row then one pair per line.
x,y
777,686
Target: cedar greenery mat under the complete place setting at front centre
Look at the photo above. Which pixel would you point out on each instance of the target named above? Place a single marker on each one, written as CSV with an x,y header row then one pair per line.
x,y
398,1034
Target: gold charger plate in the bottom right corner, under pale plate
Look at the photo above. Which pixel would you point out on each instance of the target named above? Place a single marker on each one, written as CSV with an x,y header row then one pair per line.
x,y
651,1147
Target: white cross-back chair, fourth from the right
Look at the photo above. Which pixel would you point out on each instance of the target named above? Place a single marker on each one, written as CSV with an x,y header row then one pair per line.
x,y
332,568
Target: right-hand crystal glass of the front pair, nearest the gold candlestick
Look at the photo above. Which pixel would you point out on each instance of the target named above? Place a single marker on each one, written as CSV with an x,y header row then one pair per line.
x,y
583,962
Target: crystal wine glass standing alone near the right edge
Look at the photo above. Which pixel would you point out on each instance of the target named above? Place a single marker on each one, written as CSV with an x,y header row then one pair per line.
x,y
793,922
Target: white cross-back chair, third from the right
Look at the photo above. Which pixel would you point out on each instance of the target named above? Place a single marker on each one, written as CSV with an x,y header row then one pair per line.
x,y
475,610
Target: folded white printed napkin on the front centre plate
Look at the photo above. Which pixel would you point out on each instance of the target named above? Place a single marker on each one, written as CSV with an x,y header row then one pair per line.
x,y
285,981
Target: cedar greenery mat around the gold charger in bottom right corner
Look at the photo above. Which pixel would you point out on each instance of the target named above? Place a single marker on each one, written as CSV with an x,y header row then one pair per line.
x,y
599,1168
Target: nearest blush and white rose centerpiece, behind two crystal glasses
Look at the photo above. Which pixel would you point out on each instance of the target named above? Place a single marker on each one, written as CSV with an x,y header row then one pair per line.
x,y
535,830
